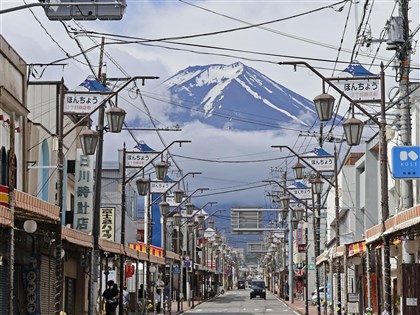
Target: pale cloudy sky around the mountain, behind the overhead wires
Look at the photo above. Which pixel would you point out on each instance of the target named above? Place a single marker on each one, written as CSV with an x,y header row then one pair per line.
x,y
162,19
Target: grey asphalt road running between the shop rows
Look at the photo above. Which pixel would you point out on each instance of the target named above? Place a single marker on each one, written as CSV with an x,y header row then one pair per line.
x,y
237,302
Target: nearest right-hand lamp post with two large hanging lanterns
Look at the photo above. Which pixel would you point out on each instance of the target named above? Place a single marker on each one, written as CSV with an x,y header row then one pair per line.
x,y
353,128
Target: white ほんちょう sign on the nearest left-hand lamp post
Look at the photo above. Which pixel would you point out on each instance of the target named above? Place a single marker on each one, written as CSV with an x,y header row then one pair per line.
x,y
82,103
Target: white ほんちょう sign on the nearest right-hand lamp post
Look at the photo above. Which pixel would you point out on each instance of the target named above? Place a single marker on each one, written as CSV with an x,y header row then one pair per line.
x,y
360,89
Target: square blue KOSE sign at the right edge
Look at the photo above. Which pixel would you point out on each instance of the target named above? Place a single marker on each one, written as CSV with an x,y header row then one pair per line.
x,y
406,162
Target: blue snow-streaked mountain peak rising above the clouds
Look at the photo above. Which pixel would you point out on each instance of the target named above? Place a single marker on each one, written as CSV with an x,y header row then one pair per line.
x,y
236,97
